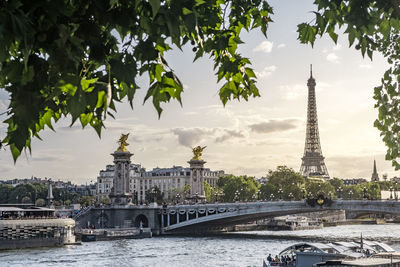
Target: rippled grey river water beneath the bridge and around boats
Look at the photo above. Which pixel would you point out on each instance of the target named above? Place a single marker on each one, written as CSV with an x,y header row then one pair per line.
x,y
232,249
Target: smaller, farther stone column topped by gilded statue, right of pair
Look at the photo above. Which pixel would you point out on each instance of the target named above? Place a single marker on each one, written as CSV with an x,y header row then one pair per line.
x,y
196,175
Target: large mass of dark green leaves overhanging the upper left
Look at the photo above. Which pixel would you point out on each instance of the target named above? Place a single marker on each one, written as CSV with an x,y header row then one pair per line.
x,y
72,57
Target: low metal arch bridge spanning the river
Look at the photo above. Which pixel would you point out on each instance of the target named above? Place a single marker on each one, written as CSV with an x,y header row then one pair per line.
x,y
181,218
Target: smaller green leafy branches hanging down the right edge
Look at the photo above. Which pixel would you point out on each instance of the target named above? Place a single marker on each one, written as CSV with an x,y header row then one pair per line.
x,y
373,26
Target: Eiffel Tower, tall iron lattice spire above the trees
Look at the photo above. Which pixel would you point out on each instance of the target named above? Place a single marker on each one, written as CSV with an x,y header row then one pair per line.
x,y
312,161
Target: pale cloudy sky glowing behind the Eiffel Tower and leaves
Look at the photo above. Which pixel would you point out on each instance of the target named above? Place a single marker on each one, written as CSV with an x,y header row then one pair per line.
x,y
242,138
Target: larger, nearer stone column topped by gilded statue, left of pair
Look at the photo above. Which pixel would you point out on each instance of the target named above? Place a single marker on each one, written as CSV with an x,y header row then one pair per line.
x,y
120,194
